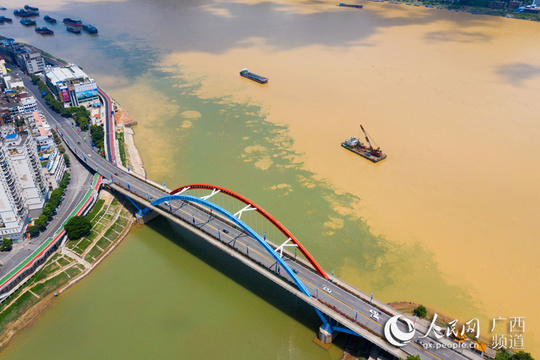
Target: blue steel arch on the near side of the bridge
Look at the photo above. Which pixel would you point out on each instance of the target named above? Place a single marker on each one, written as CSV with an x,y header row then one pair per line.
x,y
239,223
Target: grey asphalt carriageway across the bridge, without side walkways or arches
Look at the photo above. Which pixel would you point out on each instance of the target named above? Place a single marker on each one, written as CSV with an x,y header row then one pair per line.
x,y
343,300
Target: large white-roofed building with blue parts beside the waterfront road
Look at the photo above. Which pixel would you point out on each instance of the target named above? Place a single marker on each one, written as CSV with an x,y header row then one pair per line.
x,y
71,86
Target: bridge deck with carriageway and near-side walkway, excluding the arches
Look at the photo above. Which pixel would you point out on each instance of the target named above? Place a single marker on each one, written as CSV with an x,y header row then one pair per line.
x,y
211,228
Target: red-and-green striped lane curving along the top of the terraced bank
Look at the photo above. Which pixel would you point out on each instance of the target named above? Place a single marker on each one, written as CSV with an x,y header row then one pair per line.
x,y
9,281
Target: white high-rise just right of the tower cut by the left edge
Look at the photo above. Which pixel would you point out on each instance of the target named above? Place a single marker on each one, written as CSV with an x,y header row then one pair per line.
x,y
23,158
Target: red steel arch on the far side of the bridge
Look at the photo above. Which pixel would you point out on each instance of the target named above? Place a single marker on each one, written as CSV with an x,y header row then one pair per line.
x,y
261,211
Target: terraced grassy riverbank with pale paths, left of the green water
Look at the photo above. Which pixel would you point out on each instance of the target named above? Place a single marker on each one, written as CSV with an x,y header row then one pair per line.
x,y
111,222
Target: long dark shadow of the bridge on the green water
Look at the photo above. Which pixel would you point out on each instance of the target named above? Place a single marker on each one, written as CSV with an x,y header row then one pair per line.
x,y
243,275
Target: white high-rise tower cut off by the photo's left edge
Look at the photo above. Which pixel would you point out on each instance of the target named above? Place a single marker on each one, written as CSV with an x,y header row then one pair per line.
x,y
13,212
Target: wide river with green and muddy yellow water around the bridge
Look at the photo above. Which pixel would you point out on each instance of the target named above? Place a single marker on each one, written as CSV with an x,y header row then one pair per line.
x,y
448,220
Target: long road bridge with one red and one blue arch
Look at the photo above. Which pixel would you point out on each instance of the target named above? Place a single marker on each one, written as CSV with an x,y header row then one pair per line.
x,y
220,216
